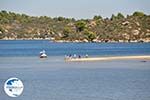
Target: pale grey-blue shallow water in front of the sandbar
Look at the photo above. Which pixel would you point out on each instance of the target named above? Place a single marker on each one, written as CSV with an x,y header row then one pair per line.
x,y
54,79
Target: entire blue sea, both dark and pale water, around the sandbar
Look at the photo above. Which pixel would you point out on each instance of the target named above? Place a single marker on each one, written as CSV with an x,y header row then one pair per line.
x,y
55,79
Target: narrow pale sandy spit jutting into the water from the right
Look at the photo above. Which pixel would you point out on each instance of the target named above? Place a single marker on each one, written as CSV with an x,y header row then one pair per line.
x,y
109,58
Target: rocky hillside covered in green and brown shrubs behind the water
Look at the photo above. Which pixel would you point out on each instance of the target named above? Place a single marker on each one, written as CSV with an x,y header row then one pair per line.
x,y
135,27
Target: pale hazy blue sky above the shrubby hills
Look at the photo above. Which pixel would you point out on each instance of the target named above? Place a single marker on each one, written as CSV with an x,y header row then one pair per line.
x,y
75,8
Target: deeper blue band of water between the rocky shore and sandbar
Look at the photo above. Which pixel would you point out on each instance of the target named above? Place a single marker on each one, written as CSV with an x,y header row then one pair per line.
x,y
32,48
